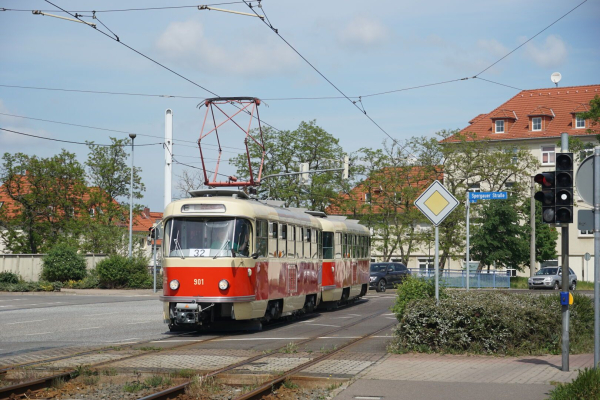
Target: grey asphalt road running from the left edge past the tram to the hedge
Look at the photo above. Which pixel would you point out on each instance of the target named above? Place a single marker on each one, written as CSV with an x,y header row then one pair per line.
x,y
34,323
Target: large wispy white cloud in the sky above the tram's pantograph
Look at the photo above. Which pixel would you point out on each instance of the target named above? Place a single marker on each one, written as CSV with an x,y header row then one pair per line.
x,y
187,43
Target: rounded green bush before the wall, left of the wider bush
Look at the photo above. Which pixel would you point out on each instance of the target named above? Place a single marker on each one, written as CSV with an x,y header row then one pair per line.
x,y
62,263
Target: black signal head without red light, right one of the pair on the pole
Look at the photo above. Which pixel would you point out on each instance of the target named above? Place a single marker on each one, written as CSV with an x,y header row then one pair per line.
x,y
564,188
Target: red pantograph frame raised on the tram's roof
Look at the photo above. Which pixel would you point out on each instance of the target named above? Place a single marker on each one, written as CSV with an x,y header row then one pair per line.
x,y
243,104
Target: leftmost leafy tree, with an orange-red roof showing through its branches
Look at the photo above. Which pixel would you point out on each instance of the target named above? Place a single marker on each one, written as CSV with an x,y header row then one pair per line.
x,y
47,196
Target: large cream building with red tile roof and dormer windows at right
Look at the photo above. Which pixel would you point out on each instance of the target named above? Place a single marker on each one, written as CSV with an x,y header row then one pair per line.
x,y
535,119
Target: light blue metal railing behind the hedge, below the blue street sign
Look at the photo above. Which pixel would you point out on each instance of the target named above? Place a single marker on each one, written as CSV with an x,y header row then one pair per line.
x,y
458,278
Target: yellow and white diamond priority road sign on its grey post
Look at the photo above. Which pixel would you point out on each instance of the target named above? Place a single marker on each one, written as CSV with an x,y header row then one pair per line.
x,y
436,203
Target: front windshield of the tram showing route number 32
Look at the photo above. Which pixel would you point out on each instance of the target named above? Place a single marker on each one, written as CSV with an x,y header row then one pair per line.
x,y
208,237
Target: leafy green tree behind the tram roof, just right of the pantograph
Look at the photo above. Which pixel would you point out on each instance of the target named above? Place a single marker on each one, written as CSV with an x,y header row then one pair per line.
x,y
284,151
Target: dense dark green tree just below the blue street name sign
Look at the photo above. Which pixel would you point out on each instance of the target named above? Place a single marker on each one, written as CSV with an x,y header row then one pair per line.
x,y
499,238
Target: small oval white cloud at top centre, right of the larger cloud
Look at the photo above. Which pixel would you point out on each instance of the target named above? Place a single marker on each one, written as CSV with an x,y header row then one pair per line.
x,y
363,32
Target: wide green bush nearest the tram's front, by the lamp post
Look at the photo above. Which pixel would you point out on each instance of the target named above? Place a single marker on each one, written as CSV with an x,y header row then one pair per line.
x,y
118,271
